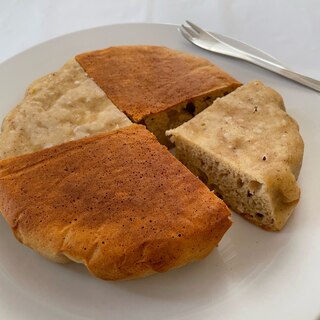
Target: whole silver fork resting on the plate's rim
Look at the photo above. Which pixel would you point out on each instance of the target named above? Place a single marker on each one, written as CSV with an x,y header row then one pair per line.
x,y
211,42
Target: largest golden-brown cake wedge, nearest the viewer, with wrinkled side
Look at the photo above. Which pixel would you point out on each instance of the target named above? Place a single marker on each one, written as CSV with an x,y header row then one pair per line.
x,y
118,202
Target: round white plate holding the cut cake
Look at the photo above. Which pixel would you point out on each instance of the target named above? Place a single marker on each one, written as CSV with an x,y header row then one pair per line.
x,y
253,274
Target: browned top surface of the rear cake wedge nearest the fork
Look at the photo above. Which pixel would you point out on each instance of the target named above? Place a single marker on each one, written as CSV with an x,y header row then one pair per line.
x,y
143,80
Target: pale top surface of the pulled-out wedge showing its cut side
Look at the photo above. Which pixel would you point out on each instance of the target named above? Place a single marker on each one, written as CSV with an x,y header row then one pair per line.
x,y
250,129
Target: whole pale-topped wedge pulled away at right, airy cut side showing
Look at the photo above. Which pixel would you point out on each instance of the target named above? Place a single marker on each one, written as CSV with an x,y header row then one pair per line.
x,y
249,151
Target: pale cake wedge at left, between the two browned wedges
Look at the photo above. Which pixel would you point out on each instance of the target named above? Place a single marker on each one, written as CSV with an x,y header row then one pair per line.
x,y
62,106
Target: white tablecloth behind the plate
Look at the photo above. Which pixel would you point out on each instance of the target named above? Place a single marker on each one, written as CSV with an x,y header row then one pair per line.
x,y
289,30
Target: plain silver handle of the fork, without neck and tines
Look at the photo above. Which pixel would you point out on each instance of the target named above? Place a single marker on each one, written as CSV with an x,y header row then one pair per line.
x,y
283,71
